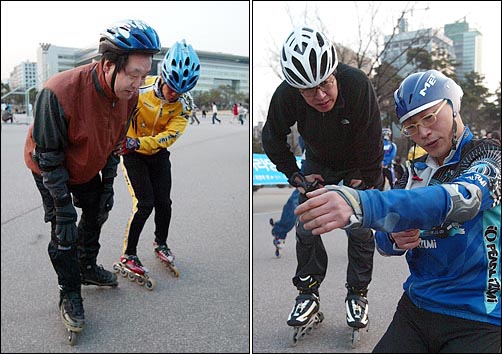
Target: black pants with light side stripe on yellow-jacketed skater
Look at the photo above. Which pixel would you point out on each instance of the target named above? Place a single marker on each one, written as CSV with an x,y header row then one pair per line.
x,y
149,182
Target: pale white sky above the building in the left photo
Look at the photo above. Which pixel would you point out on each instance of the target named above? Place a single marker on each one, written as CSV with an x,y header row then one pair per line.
x,y
216,26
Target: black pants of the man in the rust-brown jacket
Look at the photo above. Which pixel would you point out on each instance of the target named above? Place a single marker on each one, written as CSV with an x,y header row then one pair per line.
x,y
68,261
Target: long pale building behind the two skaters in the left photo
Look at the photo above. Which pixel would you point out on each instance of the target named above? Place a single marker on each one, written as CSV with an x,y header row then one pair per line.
x,y
216,68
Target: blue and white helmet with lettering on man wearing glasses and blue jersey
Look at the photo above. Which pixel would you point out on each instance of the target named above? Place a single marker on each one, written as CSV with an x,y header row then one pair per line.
x,y
423,90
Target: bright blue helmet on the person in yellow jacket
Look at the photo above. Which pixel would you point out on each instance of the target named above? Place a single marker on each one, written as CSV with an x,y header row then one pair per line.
x,y
181,67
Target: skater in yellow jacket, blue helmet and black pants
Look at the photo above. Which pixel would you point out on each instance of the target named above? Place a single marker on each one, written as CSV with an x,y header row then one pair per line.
x,y
162,113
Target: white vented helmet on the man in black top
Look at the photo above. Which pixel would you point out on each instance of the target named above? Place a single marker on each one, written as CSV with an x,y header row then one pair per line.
x,y
307,58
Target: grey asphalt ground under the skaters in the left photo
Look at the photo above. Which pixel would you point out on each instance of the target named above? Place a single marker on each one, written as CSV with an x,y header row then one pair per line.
x,y
206,309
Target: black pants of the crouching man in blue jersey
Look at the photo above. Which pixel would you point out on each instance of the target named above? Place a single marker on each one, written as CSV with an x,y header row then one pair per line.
x,y
414,330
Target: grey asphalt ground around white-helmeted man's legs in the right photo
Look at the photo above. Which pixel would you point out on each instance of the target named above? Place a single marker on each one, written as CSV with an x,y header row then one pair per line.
x,y
274,293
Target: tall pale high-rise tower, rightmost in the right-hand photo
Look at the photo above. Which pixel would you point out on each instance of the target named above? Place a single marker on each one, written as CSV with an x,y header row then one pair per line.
x,y
467,46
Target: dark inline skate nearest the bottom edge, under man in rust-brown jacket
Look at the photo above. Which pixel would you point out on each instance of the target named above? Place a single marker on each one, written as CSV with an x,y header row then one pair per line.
x,y
71,310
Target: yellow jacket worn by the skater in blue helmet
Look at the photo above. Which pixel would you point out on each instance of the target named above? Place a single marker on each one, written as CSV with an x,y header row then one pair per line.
x,y
157,123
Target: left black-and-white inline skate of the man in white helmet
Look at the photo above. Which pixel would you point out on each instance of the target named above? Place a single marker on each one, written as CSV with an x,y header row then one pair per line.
x,y
305,316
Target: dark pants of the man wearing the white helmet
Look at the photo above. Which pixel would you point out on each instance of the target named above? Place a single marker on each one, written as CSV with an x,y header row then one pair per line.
x,y
310,252
